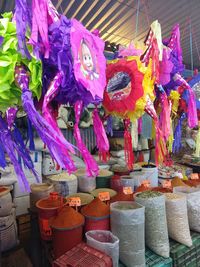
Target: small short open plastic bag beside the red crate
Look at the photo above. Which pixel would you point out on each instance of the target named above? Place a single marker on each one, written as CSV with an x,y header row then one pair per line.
x,y
106,242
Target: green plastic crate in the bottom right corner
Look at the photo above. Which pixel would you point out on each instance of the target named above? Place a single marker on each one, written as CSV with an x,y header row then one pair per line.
x,y
183,256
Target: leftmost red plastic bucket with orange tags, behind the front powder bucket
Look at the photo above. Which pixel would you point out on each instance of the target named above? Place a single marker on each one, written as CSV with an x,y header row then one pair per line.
x,y
45,213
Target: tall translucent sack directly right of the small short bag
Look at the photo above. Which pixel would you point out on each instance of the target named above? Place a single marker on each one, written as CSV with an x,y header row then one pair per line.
x,y
127,223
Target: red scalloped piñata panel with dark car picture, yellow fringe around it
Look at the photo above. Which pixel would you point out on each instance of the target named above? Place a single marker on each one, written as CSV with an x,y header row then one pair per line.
x,y
124,87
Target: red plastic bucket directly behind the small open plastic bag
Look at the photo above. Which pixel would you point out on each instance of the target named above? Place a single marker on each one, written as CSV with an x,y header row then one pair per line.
x,y
93,223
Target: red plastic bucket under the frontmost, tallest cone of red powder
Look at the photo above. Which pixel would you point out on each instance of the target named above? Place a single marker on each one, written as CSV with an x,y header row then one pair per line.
x,y
66,239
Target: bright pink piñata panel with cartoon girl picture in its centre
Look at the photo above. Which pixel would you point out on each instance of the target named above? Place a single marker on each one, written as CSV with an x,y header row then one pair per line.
x,y
88,59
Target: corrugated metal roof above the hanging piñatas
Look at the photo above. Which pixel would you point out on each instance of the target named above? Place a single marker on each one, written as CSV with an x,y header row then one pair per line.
x,y
120,22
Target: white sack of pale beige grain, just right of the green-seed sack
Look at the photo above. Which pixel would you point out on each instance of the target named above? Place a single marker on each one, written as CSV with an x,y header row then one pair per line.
x,y
177,218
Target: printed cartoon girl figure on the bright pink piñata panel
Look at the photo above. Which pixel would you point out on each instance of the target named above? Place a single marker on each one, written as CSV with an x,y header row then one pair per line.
x,y
88,62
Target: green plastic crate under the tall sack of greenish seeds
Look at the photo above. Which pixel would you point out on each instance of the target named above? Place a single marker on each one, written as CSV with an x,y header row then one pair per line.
x,y
153,260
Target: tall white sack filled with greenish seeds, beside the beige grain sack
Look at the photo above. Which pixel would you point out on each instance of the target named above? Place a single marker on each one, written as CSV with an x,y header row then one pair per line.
x,y
156,233
